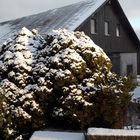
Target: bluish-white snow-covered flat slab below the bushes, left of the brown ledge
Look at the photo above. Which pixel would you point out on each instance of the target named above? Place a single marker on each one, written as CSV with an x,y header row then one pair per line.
x,y
53,135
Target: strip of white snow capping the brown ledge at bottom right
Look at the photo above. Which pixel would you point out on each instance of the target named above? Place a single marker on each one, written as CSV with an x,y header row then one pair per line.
x,y
112,132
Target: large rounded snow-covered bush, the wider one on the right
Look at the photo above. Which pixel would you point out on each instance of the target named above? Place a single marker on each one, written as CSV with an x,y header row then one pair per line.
x,y
85,91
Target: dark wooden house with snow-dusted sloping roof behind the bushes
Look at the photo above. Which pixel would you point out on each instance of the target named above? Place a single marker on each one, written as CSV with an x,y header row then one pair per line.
x,y
103,20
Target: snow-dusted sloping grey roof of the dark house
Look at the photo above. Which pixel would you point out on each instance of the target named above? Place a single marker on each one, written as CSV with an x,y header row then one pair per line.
x,y
68,17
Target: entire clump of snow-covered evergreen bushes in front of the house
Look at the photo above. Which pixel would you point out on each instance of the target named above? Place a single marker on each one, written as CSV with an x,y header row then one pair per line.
x,y
64,79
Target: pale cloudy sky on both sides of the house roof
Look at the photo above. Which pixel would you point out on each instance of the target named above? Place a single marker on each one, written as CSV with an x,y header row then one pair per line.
x,y
11,9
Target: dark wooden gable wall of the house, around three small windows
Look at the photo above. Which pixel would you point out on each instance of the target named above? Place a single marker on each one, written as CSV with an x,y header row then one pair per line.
x,y
111,44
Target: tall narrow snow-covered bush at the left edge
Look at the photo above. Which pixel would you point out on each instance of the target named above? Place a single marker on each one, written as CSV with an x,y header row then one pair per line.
x,y
21,111
